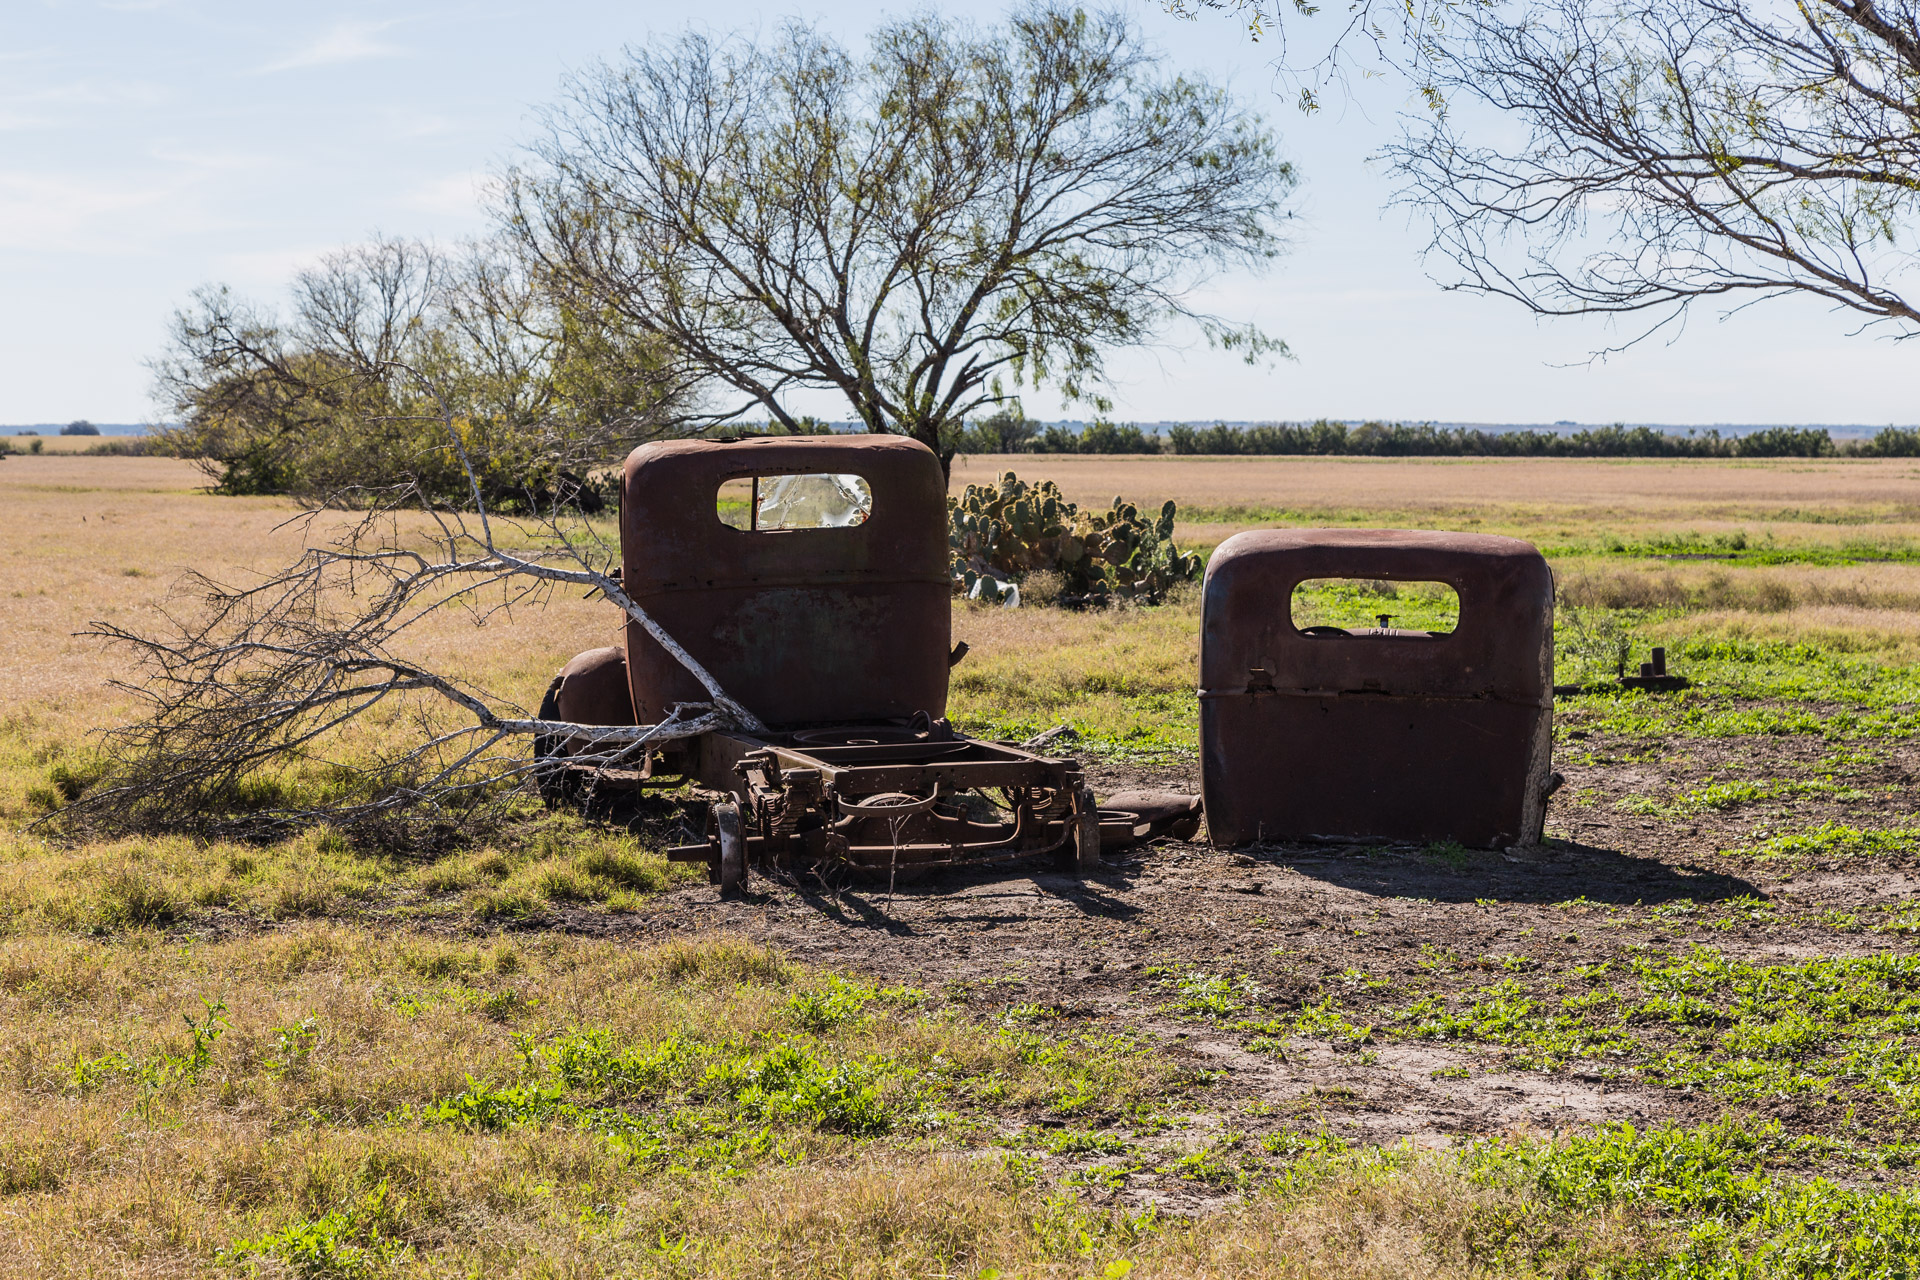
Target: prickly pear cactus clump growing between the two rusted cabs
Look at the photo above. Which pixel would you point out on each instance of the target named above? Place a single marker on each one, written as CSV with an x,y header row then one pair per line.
x,y
999,534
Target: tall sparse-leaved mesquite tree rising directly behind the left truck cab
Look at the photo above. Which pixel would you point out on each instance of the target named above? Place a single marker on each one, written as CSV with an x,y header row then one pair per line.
x,y
923,229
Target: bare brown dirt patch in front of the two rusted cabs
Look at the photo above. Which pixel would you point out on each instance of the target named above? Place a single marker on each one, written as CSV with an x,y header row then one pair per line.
x,y
1360,924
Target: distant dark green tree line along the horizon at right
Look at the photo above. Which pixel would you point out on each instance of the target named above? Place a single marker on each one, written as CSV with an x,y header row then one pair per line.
x,y
1009,433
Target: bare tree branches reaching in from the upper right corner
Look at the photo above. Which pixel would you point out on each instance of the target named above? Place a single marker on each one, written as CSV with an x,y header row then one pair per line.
x,y
1681,151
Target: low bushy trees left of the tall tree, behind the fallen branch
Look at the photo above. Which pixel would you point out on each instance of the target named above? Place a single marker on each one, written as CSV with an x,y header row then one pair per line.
x,y
322,400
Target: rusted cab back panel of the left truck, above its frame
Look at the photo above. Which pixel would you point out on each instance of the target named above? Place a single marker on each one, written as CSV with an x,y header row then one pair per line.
x,y
804,627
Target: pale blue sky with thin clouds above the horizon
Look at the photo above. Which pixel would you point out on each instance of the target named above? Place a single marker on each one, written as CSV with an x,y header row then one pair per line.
x,y
149,147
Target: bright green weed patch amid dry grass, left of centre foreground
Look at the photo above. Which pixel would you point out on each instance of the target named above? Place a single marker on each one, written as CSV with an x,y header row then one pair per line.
x,y
702,1101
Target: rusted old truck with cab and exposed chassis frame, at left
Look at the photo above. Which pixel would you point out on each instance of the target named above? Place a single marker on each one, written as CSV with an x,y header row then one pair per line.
x,y
832,625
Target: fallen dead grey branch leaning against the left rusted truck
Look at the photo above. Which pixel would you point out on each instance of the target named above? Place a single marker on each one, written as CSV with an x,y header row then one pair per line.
x,y
256,698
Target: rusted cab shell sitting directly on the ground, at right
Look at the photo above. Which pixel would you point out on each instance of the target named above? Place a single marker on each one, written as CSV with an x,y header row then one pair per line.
x,y
1403,736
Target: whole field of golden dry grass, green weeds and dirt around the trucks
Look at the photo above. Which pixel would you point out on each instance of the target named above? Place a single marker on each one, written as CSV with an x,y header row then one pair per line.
x,y
1677,1041
